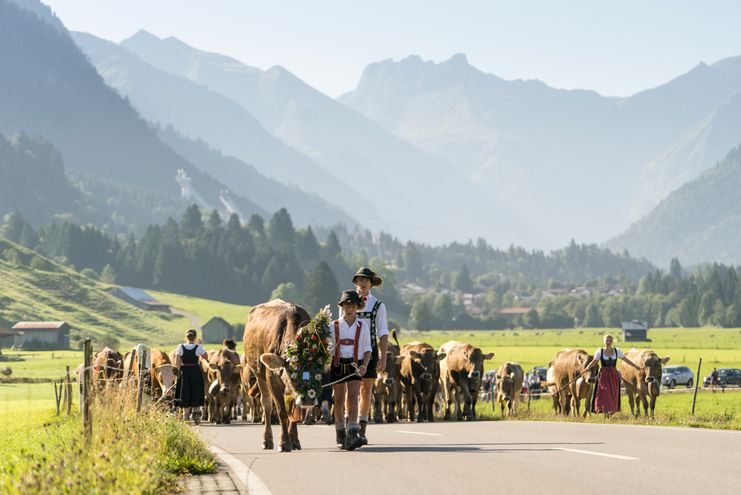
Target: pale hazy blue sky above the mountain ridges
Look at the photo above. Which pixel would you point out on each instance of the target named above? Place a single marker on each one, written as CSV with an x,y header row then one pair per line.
x,y
615,48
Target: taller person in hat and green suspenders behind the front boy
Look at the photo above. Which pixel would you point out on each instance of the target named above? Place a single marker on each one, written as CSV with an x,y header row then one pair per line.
x,y
374,314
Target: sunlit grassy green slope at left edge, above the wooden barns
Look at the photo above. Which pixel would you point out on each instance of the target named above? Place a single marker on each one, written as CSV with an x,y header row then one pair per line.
x,y
34,288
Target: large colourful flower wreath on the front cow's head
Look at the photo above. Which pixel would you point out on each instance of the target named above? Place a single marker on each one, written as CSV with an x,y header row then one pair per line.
x,y
307,356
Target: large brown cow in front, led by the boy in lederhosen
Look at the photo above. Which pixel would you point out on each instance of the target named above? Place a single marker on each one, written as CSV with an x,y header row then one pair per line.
x,y
270,328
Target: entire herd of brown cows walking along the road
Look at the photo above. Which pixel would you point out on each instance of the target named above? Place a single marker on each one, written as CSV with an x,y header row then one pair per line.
x,y
418,381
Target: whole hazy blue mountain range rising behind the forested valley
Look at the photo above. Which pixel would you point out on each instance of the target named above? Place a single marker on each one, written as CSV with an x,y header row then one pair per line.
x,y
428,151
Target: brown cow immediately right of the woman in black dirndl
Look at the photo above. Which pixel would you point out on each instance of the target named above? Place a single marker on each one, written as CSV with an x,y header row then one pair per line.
x,y
223,385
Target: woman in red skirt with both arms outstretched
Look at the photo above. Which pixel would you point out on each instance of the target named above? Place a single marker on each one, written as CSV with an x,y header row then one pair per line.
x,y
606,397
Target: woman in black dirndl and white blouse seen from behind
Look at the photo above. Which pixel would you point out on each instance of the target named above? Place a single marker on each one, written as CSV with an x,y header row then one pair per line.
x,y
190,389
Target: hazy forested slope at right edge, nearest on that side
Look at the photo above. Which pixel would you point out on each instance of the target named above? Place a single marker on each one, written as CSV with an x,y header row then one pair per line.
x,y
699,222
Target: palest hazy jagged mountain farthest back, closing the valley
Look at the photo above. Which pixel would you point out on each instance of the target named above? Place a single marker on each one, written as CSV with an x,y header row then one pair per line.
x,y
574,163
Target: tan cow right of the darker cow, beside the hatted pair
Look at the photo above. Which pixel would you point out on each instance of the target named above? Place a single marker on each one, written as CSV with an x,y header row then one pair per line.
x,y
460,377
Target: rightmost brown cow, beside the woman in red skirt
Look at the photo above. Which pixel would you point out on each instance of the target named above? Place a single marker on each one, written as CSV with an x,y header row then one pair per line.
x,y
645,382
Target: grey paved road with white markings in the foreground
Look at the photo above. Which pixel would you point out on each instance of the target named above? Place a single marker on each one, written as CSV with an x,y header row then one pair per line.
x,y
525,457
